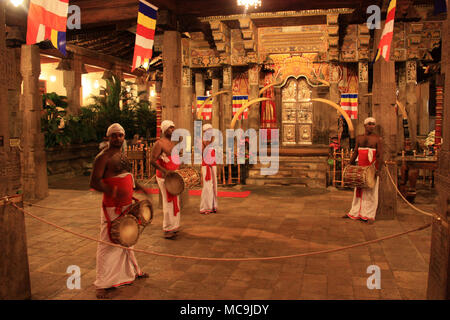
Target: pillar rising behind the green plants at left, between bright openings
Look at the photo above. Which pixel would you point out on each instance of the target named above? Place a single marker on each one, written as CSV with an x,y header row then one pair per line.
x,y
72,83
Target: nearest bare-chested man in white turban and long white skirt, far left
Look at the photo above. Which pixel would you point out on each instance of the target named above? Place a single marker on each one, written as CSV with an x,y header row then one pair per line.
x,y
110,175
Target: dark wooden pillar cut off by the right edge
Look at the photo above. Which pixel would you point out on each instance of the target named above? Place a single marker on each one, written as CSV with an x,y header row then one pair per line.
x,y
439,271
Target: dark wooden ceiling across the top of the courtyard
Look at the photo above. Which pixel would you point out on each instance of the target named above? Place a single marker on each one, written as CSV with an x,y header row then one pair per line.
x,y
107,26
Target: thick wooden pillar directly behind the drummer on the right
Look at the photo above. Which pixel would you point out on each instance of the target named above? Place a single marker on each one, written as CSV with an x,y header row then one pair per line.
x,y
383,109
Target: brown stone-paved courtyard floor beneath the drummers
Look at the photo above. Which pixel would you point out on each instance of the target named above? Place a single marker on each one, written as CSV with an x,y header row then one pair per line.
x,y
272,221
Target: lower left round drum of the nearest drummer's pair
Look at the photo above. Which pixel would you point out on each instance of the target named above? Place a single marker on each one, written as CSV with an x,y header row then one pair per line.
x,y
125,230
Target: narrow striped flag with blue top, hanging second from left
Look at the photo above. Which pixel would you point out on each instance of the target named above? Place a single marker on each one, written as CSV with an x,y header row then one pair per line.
x,y
145,34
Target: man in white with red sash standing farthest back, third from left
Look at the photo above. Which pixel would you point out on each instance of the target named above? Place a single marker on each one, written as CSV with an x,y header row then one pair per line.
x,y
208,202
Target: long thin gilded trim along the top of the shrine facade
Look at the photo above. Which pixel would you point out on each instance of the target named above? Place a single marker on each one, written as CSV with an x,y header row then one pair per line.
x,y
279,14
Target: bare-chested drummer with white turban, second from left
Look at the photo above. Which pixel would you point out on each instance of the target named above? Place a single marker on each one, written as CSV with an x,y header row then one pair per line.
x,y
161,159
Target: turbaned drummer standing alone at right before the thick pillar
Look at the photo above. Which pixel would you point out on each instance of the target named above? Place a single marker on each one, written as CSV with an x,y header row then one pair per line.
x,y
368,149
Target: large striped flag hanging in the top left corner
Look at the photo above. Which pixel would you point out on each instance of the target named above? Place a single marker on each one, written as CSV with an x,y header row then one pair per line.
x,y
47,20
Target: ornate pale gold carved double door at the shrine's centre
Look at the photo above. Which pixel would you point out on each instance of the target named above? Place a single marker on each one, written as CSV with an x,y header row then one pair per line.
x,y
296,113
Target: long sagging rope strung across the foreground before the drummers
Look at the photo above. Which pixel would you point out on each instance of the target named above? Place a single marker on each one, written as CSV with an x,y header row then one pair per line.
x,y
306,254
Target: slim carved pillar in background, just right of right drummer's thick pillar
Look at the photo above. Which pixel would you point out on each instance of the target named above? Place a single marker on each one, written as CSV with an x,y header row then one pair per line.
x,y
411,100
